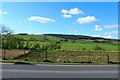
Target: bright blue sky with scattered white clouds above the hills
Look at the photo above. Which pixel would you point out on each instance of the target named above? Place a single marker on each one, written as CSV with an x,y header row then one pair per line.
x,y
97,19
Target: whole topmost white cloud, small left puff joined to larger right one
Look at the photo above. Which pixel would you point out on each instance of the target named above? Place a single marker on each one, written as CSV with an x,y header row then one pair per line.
x,y
72,11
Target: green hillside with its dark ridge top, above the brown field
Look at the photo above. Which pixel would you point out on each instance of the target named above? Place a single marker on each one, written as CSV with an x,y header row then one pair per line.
x,y
71,42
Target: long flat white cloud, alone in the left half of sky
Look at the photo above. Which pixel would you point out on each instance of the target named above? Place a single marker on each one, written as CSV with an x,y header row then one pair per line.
x,y
40,19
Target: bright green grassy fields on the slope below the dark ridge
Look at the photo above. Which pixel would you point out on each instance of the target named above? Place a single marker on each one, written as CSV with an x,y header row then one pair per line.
x,y
70,44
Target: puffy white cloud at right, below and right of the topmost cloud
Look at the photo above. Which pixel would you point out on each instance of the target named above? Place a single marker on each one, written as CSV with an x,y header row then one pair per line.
x,y
88,19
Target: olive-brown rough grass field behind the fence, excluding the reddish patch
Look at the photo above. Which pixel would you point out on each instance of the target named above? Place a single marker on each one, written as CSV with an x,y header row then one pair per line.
x,y
72,56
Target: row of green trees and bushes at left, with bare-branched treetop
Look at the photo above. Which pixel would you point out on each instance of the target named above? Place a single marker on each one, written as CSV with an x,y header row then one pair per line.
x,y
9,41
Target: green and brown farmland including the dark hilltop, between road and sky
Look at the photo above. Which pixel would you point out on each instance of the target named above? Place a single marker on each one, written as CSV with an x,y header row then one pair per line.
x,y
72,49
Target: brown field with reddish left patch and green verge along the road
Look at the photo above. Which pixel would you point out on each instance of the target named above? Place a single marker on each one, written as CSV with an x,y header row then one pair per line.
x,y
63,57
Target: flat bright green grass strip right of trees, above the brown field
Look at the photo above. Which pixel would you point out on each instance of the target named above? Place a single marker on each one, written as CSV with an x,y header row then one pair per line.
x,y
87,46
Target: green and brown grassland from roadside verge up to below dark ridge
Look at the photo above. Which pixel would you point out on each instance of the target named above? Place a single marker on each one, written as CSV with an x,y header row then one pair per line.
x,y
71,51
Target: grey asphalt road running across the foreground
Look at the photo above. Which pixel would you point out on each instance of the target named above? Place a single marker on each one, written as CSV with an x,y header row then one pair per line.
x,y
59,71
